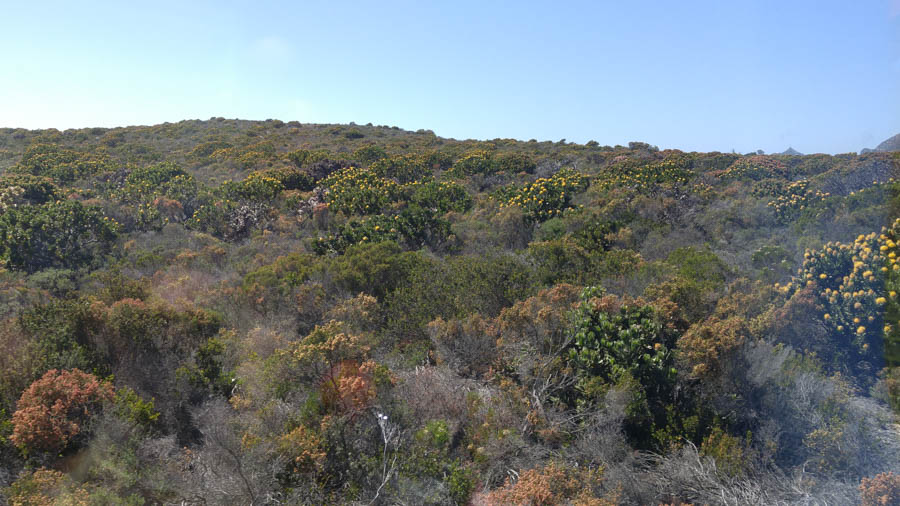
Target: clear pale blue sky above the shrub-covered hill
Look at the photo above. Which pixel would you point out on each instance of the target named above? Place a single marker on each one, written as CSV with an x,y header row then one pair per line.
x,y
821,76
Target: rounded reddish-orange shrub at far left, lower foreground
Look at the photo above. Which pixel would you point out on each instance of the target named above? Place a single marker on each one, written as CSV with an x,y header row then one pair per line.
x,y
53,410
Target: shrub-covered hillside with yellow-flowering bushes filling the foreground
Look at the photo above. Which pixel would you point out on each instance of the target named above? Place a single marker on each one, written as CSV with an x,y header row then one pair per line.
x,y
268,312
